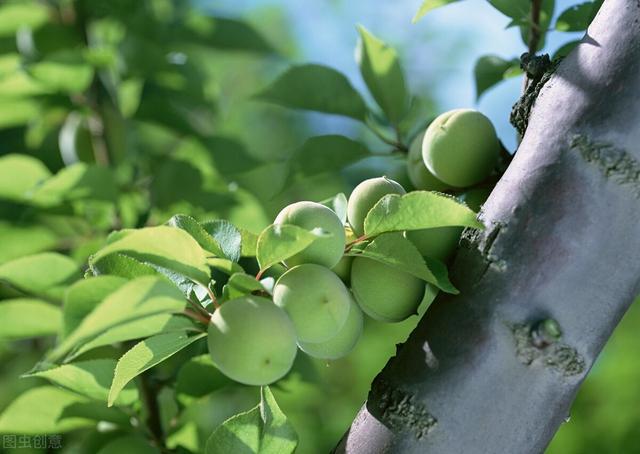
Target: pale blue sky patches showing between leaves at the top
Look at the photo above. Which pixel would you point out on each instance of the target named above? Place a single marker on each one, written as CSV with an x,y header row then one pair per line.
x,y
438,53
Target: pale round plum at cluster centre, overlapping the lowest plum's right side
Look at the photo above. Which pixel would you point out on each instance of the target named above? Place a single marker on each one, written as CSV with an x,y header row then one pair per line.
x,y
316,300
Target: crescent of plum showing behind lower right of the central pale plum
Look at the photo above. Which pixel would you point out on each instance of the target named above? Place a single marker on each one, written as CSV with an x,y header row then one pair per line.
x,y
343,342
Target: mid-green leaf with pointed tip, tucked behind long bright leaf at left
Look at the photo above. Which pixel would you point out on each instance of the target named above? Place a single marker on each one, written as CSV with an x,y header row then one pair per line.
x,y
82,298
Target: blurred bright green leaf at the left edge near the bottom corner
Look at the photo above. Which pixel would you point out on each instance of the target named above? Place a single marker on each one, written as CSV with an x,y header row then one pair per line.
x,y
51,417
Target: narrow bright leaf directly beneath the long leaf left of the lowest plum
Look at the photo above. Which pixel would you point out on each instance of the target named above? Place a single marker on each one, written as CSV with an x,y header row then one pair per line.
x,y
137,329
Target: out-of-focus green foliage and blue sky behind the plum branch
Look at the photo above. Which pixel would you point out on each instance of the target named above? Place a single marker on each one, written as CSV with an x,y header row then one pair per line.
x,y
159,95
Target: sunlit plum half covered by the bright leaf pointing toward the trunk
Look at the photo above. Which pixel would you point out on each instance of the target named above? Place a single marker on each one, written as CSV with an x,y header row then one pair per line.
x,y
365,196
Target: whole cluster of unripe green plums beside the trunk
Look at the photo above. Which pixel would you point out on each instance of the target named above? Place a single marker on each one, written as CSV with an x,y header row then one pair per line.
x,y
318,303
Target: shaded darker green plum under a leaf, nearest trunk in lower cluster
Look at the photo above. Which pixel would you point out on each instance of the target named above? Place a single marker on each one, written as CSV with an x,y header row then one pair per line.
x,y
383,292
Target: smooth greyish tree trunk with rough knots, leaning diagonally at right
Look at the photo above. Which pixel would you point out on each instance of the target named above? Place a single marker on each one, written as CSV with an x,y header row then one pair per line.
x,y
496,368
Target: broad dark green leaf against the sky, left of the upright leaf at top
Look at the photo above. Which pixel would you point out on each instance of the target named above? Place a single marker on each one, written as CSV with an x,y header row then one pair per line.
x,y
316,87
